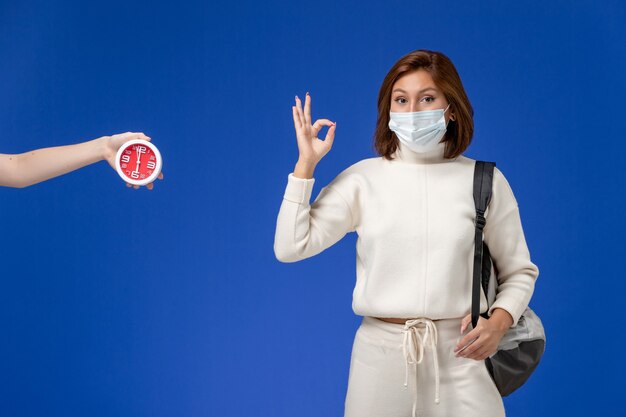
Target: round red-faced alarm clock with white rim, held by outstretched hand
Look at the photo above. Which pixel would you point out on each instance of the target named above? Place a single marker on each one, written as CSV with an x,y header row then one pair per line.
x,y
138,162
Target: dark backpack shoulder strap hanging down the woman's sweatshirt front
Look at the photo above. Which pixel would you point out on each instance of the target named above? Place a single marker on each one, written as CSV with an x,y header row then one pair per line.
x,y
483,179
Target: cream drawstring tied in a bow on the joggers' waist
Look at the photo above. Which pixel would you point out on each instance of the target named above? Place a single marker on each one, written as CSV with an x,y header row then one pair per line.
x,y
417,333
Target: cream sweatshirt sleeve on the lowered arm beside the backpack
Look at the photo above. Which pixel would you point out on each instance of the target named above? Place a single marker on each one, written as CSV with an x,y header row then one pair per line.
x,y
504,236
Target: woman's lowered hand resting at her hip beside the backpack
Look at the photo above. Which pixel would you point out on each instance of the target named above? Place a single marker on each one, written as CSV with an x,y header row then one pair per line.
x,y
483,340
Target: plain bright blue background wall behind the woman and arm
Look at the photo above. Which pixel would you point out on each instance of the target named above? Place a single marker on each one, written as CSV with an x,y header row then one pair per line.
x,y
115,302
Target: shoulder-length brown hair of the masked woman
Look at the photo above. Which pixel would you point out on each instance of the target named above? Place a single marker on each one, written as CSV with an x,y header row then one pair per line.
x,y
459,132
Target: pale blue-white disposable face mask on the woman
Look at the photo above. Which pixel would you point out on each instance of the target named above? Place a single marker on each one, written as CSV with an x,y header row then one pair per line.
x,y
420,131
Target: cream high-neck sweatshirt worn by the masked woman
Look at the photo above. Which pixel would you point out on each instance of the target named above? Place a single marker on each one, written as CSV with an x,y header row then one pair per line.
x,y
414,217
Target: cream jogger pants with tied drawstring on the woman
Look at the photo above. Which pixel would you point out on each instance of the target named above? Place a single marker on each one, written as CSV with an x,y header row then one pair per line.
x,y
410,370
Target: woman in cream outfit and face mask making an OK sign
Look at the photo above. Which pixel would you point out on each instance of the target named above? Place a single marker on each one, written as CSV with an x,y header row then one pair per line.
x,y
413,210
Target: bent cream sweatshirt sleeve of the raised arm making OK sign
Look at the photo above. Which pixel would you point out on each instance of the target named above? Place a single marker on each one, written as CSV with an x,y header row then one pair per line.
x,y
304,230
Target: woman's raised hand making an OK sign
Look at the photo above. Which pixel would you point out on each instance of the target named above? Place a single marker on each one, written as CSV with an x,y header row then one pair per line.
x,y
311,148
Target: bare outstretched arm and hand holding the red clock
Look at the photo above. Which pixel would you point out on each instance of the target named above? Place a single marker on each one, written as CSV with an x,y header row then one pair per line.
x,y
29,168
